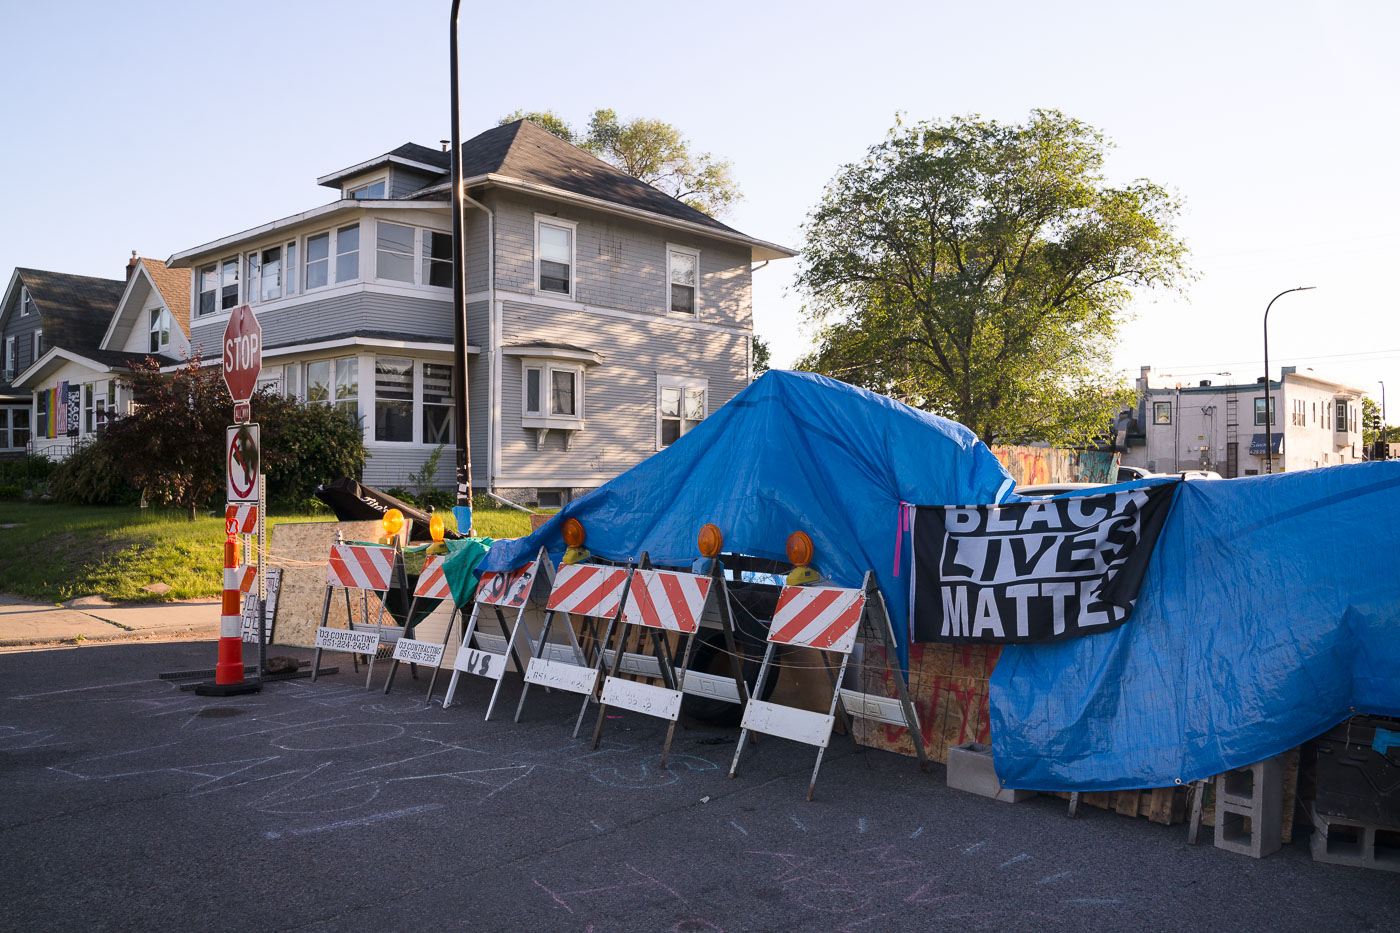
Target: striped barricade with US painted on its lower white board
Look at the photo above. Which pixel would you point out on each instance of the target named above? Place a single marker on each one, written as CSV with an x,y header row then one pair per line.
x,y
499,593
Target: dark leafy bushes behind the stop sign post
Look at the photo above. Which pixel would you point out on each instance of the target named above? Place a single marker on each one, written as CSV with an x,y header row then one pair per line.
x,y
173,445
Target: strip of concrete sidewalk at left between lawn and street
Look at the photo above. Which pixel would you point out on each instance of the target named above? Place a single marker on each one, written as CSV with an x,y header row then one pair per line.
x,y
92,620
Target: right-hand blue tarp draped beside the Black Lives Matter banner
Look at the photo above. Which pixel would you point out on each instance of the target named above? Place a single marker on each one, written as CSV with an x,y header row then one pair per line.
x,y
1270,613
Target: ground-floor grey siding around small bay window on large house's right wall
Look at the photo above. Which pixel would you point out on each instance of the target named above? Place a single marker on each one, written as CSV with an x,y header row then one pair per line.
x,y
619,394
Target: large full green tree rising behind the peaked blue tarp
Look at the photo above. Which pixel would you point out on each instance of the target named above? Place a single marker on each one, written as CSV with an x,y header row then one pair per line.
x,y
981,271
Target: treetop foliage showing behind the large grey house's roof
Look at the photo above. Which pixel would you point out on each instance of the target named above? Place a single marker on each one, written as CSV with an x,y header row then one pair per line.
x,y
653,151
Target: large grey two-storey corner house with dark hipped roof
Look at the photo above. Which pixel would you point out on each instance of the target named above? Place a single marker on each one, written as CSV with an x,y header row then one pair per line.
x,y
604,317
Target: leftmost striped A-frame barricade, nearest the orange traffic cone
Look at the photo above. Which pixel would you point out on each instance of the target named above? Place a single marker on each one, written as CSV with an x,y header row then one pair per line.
x,y
369,569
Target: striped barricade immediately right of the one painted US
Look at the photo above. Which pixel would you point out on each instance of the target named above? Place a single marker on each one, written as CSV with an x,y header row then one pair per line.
x,y
593,593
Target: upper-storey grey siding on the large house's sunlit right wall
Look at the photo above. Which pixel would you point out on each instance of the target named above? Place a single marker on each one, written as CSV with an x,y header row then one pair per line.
x,y
622,264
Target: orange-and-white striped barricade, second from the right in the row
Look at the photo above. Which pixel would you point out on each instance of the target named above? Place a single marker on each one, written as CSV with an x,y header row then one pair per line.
x,y
670,604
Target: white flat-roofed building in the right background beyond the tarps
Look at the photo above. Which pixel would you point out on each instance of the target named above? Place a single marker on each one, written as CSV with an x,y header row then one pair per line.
x,y
1223,428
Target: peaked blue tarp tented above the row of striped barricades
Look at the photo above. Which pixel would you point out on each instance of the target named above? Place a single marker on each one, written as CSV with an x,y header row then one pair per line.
x,y
793,452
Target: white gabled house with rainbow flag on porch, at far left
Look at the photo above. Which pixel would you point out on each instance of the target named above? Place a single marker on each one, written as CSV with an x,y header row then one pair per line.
x,y
76,383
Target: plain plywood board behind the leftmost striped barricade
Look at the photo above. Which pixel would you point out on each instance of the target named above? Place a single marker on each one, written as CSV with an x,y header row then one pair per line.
x,y
300,550
